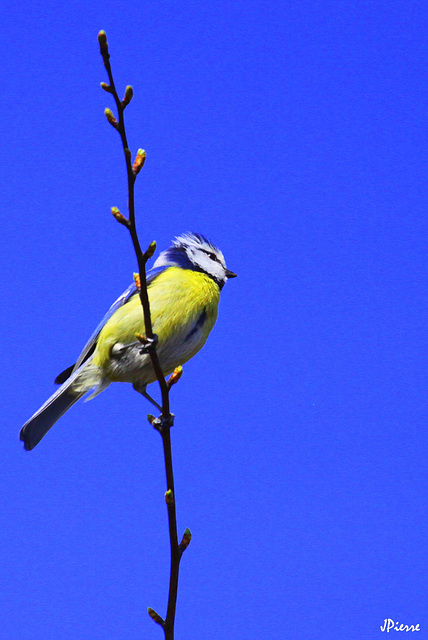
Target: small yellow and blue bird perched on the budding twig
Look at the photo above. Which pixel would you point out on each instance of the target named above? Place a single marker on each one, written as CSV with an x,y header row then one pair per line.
x,y
184,288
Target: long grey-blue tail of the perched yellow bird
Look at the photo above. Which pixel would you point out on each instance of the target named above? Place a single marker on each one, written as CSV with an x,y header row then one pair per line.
x,y
70,392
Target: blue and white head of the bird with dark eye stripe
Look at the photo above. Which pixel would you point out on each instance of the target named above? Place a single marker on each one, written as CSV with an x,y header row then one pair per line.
x,y
193,251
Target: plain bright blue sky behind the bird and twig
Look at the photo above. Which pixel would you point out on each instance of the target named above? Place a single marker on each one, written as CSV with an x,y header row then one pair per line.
x,y
294,135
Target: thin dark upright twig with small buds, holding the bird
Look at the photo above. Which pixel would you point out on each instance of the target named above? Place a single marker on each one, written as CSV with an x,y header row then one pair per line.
x,y
164,423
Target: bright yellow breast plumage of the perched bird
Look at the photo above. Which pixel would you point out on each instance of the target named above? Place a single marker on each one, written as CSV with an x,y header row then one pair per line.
x,y
183,305
